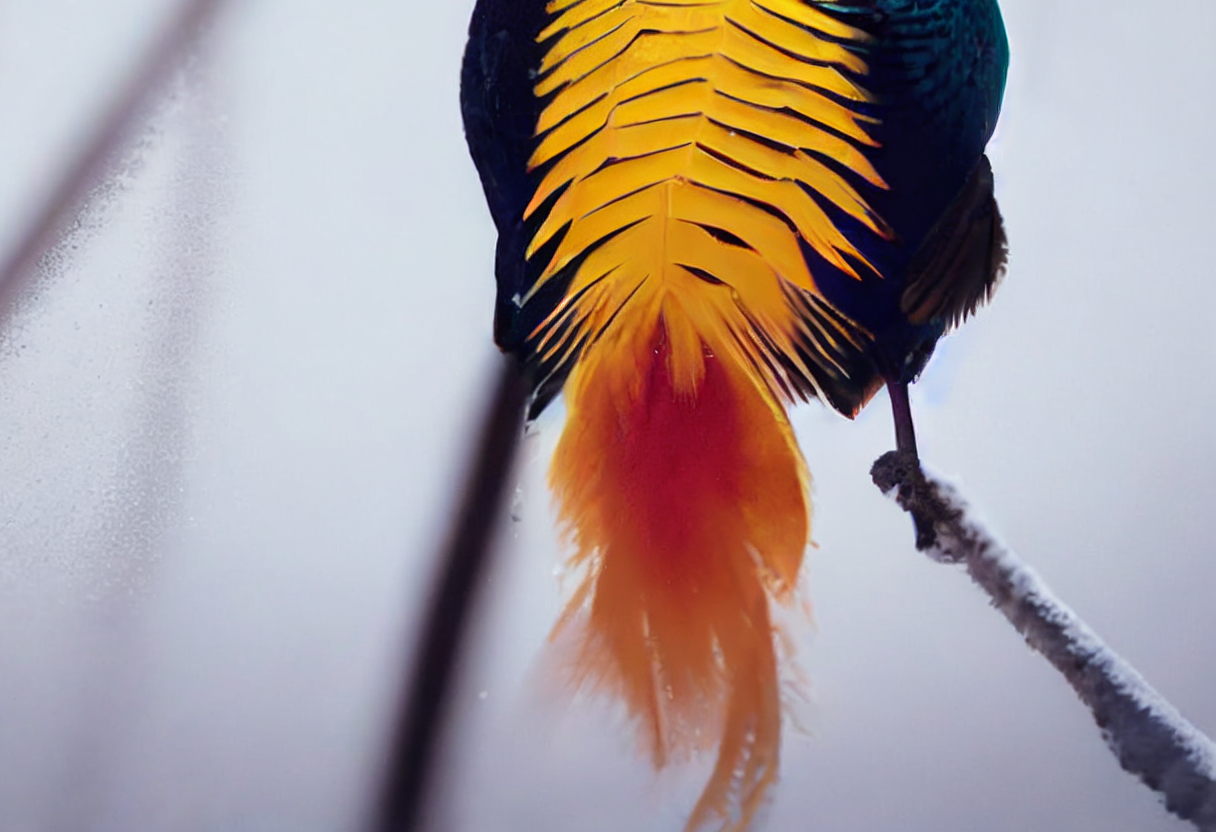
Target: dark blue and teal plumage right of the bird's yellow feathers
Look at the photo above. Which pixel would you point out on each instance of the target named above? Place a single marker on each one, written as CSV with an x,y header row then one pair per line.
x,y
938,71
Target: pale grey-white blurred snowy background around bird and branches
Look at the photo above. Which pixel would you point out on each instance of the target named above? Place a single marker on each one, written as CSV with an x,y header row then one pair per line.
x,y
237,400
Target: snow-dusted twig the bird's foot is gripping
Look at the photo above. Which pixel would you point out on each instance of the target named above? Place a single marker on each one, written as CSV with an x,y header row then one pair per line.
x,y
1149,735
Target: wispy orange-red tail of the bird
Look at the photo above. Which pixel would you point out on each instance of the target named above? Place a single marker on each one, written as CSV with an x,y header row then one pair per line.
x,y
686,502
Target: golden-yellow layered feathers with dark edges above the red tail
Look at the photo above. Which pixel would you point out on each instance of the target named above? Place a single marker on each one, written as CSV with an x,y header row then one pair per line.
x,y
685,142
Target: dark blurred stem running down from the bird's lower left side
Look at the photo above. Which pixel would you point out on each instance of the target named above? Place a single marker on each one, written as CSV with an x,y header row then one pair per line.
x,y
466,556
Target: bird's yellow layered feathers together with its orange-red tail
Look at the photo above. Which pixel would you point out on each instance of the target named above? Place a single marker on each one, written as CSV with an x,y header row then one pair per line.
x,y
682,175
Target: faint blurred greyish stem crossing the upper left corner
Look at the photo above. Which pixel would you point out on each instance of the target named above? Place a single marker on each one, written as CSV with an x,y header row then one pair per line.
x,y
114,130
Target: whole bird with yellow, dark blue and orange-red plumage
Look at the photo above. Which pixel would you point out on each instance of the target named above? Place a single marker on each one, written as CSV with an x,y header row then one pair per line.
x,y
707,211
